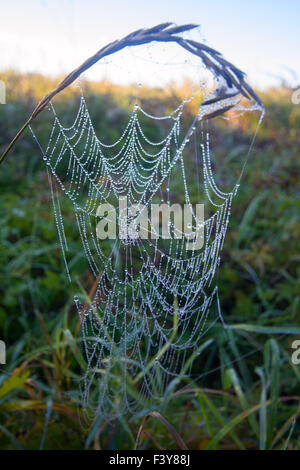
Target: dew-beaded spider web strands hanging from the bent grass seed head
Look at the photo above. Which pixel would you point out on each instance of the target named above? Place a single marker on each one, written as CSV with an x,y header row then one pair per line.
x,y
154,297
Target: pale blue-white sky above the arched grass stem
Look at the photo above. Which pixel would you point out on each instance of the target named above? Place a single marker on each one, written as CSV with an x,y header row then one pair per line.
x,y
54,36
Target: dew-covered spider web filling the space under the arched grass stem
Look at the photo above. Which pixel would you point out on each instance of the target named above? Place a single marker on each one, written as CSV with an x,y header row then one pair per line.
x,y
154,294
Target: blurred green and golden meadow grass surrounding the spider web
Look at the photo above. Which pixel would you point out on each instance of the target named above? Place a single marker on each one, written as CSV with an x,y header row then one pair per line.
x,y
246,393
